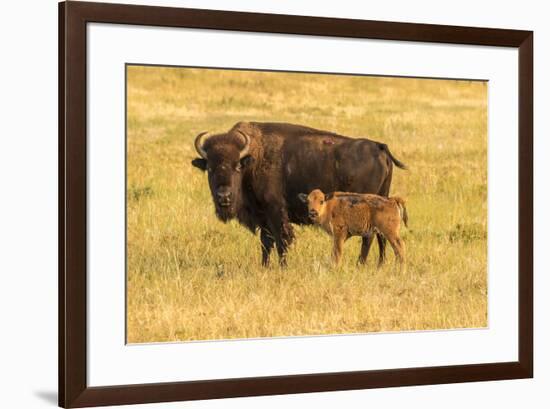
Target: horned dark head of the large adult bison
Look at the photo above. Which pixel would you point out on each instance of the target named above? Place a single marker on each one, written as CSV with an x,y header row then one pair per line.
x,y
225,157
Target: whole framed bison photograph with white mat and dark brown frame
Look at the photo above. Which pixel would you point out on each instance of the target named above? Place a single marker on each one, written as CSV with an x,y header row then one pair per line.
x,y
224,175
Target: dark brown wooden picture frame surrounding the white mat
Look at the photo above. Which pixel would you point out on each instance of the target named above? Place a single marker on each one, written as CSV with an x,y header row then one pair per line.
x,y
73,388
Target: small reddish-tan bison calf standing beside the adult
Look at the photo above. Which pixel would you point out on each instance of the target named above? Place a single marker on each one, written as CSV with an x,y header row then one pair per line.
x,y
344,214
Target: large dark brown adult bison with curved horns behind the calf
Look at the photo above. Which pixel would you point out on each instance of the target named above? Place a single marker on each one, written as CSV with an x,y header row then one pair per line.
x,y
257,170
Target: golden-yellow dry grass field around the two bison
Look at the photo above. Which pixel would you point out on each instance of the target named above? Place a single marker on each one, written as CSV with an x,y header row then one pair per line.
x,y
191,277
